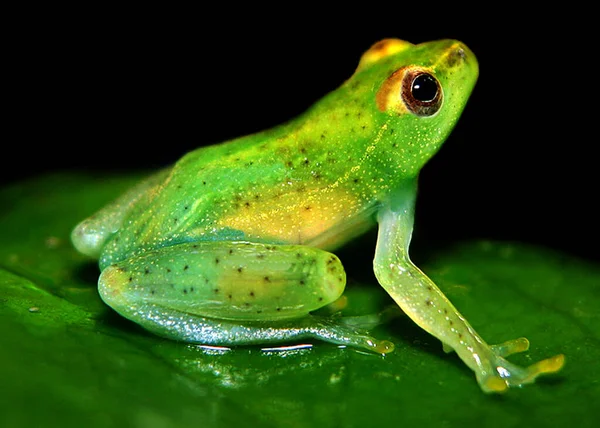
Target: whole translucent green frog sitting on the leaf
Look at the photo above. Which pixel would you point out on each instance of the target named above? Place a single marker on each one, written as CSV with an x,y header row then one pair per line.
x,y
230,245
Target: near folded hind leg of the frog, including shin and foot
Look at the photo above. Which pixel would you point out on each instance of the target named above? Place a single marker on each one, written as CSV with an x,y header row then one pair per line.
x,y
233,293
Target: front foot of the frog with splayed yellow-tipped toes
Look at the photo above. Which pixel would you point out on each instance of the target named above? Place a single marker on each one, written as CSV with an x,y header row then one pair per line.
x,y
495,374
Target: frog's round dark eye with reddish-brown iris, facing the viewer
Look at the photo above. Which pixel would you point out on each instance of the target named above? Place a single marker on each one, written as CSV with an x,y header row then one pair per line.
x,y
421,93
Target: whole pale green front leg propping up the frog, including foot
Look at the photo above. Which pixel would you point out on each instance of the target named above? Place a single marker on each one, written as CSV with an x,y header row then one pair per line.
x,y
429,308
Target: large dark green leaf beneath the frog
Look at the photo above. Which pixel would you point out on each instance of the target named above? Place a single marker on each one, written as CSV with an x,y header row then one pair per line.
x,y
66,359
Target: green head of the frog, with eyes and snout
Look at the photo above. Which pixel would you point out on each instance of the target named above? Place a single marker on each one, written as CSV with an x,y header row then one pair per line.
x,y
418,96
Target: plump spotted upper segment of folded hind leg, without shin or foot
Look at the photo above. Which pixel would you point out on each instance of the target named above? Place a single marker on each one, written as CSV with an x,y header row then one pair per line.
x,y
225,280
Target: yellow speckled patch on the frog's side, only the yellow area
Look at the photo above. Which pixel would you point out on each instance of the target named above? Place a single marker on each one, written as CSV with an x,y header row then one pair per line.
x,y
293,217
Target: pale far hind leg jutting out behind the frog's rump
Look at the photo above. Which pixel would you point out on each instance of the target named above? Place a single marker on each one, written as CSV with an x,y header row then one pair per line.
x,y
90,235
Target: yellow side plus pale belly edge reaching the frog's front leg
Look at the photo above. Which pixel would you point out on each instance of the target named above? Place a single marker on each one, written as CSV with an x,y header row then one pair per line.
x,y
323,219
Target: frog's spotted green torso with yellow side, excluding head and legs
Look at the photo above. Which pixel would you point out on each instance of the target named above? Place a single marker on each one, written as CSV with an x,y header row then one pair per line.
x,y
284,185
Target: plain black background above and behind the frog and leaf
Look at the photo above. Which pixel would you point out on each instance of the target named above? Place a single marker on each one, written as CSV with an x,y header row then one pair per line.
x,y
117,90
